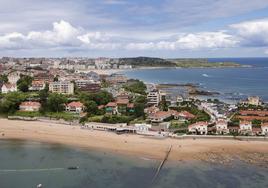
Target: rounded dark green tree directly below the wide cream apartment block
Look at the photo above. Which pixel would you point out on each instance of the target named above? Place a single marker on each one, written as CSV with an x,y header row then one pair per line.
x,y
55,102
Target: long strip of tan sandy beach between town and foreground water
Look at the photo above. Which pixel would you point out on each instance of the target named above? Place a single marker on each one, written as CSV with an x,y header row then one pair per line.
x,y
135,145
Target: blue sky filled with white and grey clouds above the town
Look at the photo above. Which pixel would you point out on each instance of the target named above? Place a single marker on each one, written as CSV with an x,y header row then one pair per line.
x,y
130,28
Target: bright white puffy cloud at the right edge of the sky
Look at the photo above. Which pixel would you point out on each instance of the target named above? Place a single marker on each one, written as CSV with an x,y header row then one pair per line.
x,y
253,33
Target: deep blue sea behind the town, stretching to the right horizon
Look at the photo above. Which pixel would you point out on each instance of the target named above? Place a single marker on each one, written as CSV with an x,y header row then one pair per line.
x,y
233,84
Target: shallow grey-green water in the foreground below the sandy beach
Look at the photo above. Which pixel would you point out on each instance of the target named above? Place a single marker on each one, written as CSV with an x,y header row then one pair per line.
x,y
25,164
